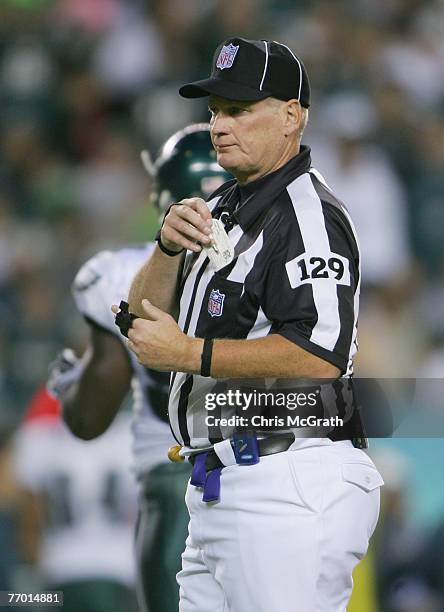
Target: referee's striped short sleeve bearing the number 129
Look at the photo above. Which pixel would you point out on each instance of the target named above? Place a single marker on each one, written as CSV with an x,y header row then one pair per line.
x,y
312,283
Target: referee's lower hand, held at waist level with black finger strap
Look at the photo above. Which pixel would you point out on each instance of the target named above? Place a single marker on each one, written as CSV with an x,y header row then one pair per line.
x,y
160,344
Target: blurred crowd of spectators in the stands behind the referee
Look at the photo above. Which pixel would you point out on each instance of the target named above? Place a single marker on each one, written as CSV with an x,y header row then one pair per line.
x,y
86,84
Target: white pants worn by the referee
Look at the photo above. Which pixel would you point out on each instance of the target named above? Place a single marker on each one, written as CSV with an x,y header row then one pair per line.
x,y
285,535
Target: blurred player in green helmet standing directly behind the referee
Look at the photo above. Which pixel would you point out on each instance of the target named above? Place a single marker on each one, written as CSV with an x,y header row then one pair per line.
x,y
92,388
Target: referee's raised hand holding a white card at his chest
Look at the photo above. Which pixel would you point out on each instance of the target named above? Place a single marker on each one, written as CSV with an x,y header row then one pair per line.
x,y
187,223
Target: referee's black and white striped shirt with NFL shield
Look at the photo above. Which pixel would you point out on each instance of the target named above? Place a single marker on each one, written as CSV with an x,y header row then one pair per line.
x,y
296,272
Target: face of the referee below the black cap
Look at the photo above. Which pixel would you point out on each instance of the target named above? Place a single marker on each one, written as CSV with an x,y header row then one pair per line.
x,y
253,139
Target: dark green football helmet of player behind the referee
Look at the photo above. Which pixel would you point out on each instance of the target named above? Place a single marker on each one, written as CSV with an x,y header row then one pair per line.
x,y
186,167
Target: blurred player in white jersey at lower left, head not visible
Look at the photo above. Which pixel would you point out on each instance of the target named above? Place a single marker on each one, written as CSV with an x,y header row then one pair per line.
x,y
78,509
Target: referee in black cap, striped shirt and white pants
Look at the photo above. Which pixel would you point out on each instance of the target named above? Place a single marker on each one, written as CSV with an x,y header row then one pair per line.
x,y
286,532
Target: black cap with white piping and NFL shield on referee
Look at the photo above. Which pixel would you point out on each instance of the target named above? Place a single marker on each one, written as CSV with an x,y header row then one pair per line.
x,y
253,70
